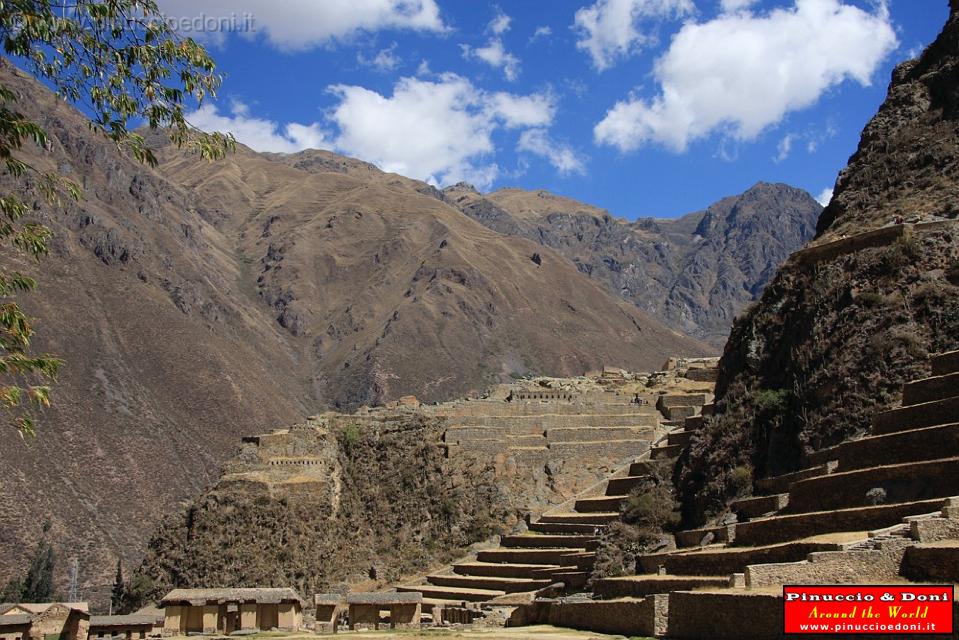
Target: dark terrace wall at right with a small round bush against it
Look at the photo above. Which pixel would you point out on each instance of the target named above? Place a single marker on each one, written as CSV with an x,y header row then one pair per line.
x,y
906,482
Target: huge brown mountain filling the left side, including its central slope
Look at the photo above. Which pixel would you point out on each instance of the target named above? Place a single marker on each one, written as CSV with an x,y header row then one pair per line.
x,y
198,302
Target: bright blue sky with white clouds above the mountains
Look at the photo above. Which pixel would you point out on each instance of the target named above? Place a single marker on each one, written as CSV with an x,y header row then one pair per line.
x,y
644,107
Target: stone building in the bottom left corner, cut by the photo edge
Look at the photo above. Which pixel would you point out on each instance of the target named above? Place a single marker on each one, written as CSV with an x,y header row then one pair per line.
x,y
39,621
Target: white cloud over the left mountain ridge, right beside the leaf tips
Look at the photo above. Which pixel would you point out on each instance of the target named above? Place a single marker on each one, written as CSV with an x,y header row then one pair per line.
x,y
260,134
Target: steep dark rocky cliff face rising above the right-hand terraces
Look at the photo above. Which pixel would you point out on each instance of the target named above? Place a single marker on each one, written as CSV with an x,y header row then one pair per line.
x,y
841,326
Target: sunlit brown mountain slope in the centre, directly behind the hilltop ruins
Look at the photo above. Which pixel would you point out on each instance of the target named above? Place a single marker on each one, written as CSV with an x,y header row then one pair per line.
x,y
366,271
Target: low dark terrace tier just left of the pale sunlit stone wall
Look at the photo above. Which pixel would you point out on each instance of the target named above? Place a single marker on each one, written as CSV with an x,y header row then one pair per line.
x,y
719,560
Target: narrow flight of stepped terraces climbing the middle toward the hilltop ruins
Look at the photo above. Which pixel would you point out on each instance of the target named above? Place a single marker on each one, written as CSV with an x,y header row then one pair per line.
x,y
557,552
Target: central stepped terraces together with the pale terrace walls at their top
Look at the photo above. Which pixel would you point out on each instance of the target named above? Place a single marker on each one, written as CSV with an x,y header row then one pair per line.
x,y
556,553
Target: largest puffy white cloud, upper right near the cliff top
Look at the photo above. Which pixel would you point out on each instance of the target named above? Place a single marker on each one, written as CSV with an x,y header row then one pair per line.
x,y
741,73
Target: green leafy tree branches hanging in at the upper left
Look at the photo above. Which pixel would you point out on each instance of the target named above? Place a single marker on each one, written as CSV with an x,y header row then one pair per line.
x,y
120,62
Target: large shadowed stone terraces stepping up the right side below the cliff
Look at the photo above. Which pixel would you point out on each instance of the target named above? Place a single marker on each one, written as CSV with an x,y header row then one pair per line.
x,y
877,509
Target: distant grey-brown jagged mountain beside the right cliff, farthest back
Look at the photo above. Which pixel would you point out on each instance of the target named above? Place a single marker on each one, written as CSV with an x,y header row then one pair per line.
x,y
695,272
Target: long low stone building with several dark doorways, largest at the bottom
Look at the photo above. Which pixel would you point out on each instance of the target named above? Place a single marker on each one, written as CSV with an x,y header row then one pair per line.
x,y
211,611
